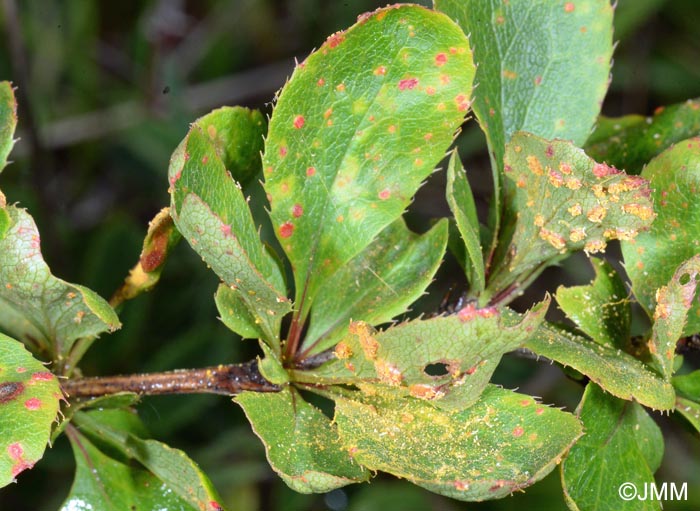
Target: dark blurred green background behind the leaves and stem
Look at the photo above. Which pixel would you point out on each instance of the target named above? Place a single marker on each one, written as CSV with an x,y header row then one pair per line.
x,y
107,90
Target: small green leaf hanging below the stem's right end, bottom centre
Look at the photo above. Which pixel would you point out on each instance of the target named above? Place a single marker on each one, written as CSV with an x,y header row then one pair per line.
x,y
301,443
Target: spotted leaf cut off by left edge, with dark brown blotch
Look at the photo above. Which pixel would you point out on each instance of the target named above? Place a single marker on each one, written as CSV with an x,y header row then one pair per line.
x,y
29,399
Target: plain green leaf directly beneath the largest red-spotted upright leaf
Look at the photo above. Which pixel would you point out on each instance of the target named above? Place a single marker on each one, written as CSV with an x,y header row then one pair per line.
x,y
378,284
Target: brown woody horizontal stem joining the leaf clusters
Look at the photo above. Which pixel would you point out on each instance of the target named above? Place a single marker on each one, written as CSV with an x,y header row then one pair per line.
x,y
223,379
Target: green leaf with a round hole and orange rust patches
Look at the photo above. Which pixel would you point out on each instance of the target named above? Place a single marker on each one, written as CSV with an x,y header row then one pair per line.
x,y
447,361
